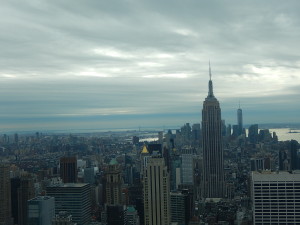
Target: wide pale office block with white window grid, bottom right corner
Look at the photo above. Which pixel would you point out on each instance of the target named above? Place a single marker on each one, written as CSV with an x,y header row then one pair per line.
x,y
275,197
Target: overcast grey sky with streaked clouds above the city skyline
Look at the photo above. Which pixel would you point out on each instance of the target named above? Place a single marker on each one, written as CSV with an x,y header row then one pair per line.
x,y
124,64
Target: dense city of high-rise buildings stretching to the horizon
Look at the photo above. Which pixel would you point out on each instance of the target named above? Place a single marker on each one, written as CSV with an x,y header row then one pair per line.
x,y
209,173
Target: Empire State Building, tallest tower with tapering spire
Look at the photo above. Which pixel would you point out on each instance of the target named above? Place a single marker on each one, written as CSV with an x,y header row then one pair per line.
x,y
213,169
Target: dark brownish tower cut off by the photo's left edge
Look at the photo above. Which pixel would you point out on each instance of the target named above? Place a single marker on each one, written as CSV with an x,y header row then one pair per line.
x,y
5,201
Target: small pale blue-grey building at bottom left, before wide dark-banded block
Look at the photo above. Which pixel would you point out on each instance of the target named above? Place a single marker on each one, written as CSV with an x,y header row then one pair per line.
x,y
41,210
